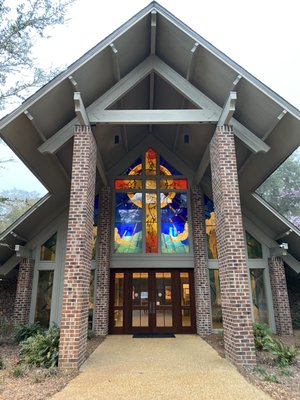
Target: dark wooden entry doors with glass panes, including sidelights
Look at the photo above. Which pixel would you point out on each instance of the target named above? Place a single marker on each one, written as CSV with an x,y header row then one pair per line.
x,y
152,301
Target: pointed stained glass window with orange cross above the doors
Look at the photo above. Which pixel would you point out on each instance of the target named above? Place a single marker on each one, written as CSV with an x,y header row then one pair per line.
x,y
151,208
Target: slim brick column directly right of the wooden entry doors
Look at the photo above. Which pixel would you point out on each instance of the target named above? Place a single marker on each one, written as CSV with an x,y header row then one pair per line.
x,y
202,294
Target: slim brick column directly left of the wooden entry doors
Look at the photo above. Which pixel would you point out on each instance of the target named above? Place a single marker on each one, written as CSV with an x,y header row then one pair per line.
x,y
103,263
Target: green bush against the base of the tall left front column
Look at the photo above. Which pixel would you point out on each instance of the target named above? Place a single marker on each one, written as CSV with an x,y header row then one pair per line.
x,y
41,349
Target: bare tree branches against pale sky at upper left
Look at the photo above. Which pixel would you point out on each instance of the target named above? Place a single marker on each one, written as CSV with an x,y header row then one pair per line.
x,y
21,24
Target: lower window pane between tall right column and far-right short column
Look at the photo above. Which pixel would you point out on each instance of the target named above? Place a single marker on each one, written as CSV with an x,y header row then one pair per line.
x,y
259,298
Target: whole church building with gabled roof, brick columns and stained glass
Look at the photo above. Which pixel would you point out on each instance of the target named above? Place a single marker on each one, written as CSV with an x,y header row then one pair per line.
x,y
152,147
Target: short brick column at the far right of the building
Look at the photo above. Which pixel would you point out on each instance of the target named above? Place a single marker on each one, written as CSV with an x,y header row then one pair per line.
x,y
282,312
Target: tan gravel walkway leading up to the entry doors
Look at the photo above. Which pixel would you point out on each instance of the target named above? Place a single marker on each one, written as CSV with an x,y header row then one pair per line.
x,y
142,369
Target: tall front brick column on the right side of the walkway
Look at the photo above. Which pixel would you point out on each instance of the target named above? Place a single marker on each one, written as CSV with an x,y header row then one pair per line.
x,y
234,282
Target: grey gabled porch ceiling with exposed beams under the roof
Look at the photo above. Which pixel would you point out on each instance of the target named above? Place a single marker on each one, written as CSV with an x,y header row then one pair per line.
x,y
44,142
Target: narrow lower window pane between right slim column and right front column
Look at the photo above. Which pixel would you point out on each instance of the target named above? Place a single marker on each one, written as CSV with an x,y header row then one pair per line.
x,y
215,296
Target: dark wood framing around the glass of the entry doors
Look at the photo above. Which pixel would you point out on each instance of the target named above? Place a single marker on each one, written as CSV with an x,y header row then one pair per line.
x,y
176,306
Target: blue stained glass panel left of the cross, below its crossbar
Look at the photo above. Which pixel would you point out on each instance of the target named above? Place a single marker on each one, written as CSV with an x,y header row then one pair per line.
x,y
128,223
